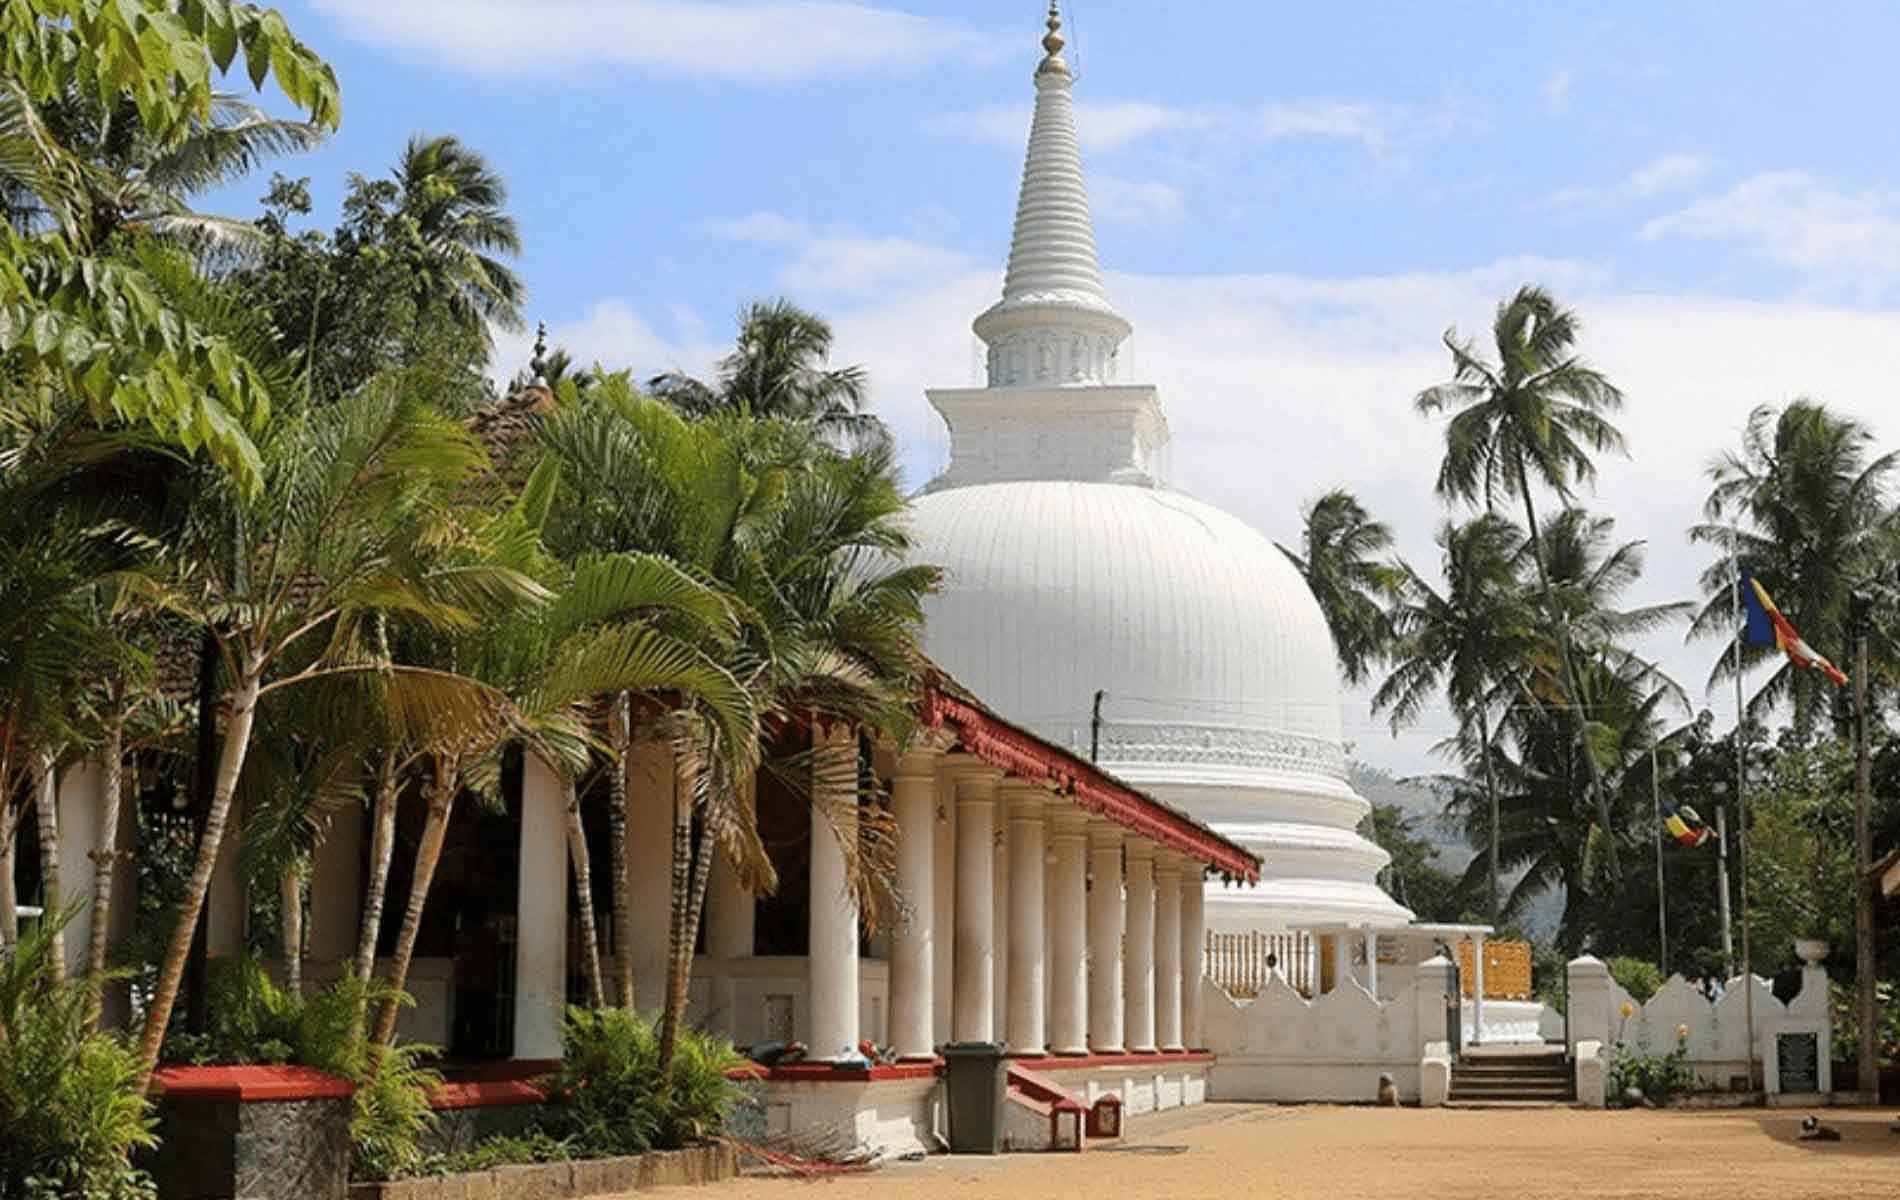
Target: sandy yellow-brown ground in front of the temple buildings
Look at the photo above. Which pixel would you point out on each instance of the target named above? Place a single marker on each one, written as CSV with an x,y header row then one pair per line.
x,y
1255,1153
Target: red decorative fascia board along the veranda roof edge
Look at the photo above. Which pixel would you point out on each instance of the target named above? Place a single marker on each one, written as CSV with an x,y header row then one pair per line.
x,y
1002,745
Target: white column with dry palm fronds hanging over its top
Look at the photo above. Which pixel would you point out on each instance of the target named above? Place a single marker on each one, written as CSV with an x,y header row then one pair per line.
x,y
833,958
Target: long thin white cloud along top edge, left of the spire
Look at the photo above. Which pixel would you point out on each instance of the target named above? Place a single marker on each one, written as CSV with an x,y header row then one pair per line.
x,y
774,41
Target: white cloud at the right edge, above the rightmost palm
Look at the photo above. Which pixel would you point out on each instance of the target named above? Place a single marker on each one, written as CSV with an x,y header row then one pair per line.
x,y
1800,223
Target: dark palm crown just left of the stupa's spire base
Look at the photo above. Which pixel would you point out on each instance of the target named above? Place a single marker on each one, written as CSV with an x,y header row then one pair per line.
x,y
778,371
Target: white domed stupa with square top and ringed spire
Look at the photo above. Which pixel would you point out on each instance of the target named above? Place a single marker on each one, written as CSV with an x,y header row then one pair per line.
x,y
1073,571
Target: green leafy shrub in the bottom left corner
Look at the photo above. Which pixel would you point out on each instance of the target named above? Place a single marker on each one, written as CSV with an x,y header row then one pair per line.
x,y
71,1108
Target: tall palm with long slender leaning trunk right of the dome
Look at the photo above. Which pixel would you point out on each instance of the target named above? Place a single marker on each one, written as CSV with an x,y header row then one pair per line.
x,y
1534,413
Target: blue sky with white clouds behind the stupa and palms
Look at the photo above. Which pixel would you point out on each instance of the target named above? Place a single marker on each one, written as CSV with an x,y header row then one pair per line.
x,y
1293,200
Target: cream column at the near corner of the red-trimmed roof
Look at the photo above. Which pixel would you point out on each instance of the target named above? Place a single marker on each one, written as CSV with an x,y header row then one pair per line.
x,y
915,939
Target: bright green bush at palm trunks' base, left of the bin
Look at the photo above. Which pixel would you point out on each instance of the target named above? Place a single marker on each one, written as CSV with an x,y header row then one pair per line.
x,y
613,1097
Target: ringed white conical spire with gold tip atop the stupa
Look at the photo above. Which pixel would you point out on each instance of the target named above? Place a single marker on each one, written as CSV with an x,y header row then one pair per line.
x,y
1055,324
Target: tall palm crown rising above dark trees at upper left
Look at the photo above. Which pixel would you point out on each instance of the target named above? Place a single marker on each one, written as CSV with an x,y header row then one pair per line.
x,y
457,204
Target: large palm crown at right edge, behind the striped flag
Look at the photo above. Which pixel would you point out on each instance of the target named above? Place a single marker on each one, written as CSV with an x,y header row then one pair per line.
x,y
1806,508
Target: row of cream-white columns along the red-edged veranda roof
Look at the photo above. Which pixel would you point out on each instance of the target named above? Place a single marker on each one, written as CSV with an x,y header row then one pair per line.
x,y
1035,948
